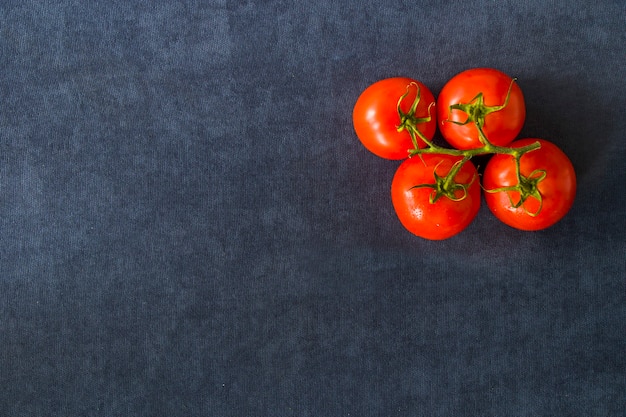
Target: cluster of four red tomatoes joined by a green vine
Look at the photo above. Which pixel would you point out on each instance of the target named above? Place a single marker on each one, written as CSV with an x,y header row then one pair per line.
x,y
528,184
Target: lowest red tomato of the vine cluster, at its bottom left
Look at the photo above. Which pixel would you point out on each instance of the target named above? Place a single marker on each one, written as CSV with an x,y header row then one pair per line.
x,y
444,217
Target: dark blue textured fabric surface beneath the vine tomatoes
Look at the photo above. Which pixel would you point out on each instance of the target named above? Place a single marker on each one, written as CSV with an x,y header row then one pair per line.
x,y
190,227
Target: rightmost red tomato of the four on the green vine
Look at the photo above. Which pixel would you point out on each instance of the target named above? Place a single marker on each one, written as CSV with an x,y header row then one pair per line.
x,y
548,197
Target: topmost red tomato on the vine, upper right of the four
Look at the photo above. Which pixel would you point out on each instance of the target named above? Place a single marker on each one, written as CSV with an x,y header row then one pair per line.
x,y
482,92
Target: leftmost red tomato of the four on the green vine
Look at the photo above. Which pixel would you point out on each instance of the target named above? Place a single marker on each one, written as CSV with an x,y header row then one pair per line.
x,y
379,125
